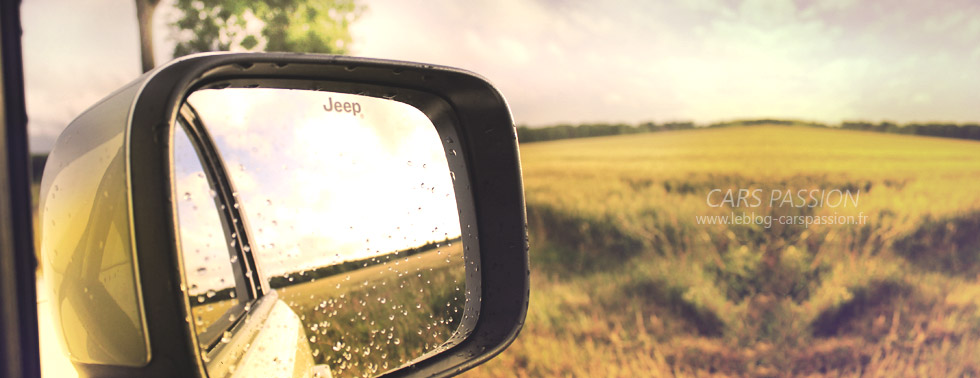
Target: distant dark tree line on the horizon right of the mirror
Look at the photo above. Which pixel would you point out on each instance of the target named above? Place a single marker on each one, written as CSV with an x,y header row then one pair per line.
x,y
528,134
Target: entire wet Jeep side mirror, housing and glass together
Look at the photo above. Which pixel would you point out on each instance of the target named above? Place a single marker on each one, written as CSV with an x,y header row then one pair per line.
x,y
287,215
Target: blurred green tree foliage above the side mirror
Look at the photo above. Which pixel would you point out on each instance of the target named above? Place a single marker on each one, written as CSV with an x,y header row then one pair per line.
x,y
278,25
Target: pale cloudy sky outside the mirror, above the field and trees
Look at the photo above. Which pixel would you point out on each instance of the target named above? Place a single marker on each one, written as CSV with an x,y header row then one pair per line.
x,y
586,61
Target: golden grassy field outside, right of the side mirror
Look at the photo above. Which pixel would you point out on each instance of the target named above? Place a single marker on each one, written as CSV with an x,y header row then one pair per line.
x,y
626,282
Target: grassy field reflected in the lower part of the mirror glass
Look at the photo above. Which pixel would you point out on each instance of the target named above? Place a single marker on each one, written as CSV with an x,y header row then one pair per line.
x,y
374,319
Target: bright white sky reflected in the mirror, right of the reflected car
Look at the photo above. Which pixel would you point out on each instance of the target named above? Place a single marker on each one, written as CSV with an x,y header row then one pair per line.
x,y
320,186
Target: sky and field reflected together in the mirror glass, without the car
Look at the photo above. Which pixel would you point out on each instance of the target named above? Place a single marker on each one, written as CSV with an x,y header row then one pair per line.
x,y
352,216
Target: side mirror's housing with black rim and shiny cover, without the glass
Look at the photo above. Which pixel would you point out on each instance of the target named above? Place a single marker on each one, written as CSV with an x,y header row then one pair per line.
x,y
124,144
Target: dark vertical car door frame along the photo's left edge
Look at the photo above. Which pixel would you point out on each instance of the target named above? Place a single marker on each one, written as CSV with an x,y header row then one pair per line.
x,y
19,351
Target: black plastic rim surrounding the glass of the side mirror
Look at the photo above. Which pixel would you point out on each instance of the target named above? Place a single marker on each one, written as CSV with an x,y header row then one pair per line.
x,y
487,138
